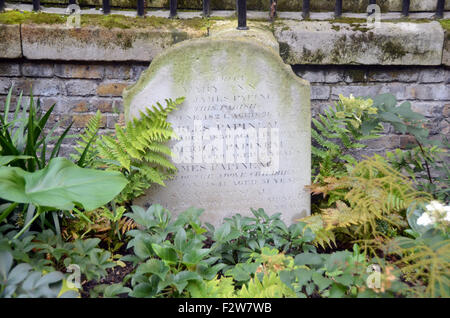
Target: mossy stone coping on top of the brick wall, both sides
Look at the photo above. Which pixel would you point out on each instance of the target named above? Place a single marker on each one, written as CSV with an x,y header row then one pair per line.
x,y
337,42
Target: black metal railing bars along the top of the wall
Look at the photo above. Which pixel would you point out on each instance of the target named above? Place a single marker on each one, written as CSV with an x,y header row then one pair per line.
x,y
241,8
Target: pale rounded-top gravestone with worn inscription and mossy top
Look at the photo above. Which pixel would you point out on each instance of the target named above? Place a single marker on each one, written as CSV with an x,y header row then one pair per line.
x,y
244,126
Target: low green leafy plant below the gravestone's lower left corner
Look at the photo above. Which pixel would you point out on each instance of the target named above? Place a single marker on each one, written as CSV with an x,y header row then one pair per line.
x,y
170,254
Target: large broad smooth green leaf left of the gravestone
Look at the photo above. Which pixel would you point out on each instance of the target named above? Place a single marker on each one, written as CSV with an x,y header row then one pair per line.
x,y
61,185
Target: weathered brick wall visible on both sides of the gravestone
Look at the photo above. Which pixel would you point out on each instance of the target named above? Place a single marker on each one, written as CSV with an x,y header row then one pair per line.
x,y
80,89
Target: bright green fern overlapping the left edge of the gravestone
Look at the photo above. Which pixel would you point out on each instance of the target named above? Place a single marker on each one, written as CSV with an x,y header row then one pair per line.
x,y
138,149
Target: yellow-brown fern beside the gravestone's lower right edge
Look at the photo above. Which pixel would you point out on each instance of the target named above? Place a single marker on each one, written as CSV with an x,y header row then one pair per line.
x,y
371,192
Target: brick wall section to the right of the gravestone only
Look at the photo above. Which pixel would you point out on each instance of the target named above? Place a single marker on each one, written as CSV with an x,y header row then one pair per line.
x,y
427,88
